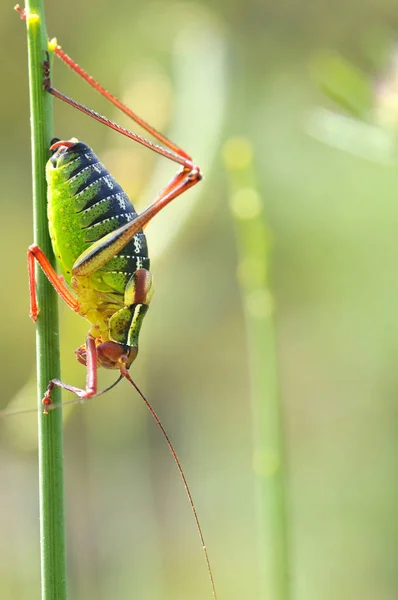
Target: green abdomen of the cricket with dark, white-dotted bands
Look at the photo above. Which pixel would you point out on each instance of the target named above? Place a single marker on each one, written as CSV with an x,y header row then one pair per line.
x,y
86,203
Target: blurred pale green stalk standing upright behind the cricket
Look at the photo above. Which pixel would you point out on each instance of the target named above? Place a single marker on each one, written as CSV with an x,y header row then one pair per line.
x,y
253,244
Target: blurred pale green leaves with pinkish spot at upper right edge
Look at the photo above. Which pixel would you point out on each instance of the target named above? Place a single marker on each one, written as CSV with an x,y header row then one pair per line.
x,y
369,131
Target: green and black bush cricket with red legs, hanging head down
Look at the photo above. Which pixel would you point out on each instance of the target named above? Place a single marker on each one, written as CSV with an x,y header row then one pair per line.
x,y
101,249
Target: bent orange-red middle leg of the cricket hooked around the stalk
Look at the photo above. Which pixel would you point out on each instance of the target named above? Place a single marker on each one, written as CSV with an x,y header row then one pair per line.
x,y
35,253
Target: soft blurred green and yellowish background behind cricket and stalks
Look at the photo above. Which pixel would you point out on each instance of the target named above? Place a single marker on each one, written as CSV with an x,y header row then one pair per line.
x,y
205,72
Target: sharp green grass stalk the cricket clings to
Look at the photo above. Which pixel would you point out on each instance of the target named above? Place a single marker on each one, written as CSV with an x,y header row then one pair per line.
x,y
52,523
